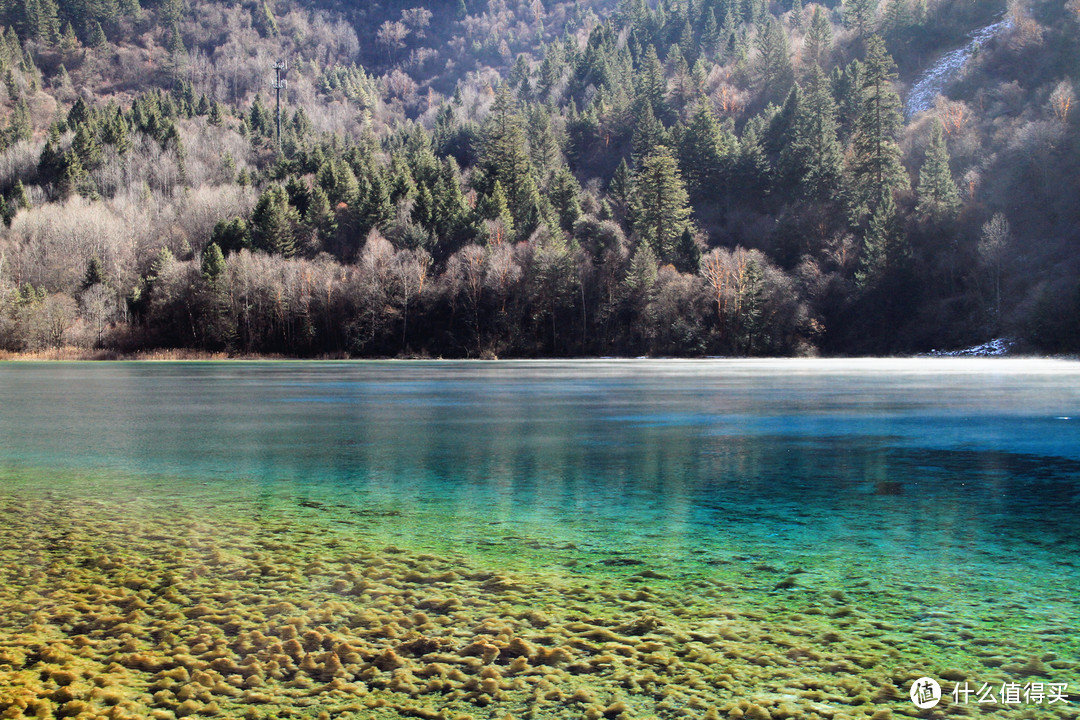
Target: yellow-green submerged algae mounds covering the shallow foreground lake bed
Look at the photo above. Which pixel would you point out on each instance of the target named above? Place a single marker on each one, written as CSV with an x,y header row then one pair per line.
x,y
140,609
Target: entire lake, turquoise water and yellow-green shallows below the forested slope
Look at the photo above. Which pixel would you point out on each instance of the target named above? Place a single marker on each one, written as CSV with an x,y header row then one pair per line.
x,y
620,539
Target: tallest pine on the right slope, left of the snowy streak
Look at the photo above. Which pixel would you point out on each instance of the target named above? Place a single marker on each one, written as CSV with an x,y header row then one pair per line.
x,y
875,167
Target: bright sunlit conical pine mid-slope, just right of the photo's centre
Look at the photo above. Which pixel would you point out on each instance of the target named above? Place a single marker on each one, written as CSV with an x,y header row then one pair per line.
x,y
660,208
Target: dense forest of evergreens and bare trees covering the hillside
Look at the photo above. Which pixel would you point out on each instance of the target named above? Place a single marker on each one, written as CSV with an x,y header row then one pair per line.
x,y
536,178
